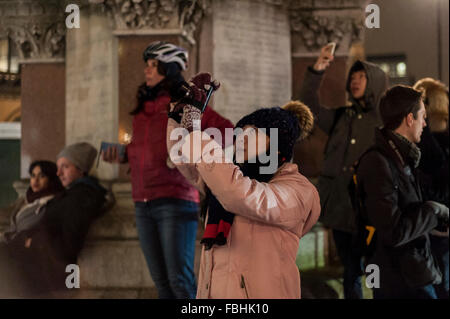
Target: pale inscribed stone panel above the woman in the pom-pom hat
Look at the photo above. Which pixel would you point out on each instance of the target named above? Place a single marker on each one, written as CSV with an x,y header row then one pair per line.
x,y
250,56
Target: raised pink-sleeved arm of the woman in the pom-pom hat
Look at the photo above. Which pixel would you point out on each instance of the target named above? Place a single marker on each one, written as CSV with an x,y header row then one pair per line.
x,y
287,204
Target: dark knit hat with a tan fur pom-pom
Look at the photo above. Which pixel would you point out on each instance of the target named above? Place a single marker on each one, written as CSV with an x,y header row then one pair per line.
x,y
294,121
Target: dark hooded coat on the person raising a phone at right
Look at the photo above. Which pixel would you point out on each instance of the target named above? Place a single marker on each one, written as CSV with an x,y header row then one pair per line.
x,y
350,131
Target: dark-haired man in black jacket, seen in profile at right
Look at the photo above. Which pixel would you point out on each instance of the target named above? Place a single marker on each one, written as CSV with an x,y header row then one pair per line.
x,y
390,195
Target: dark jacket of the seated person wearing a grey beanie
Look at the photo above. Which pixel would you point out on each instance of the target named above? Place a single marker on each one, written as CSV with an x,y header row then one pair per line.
x,y
59,237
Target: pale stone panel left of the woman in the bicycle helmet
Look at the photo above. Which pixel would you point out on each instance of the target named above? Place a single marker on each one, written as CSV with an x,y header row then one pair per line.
x,y
92,90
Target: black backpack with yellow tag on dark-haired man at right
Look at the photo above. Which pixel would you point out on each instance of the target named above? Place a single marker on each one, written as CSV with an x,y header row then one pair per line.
x,y
365,239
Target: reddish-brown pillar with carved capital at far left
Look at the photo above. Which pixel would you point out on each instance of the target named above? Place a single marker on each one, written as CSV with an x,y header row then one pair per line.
x,y
37,30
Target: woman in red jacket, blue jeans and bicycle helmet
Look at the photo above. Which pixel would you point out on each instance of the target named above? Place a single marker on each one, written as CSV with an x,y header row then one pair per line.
x,y
166,203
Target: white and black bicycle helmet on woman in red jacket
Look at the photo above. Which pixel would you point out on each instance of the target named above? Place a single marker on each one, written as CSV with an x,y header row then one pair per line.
x,y
167,53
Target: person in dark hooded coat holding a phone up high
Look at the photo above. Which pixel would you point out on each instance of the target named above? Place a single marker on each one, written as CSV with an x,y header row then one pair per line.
x,y
350,133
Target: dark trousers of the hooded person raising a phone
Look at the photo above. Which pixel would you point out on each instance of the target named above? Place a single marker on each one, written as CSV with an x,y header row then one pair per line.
x,y
352,262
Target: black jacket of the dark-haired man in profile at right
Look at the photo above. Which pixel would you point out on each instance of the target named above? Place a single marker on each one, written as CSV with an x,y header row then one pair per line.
x,y
396,209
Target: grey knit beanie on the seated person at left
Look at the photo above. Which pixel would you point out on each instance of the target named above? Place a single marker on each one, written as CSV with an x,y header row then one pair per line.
x,y
82,155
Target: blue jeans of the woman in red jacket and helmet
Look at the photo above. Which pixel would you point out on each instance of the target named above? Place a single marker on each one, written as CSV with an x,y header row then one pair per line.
x,y
167,230
